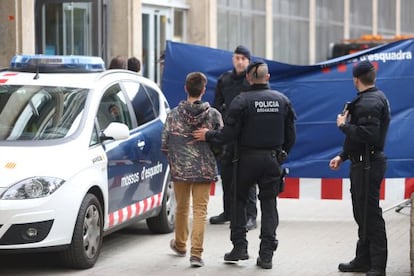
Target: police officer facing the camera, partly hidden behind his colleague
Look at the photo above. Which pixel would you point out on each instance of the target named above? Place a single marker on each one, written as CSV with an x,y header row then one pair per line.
x,y
229,85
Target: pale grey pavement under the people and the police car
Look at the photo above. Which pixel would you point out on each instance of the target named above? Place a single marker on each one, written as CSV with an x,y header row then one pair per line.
x,y
314,236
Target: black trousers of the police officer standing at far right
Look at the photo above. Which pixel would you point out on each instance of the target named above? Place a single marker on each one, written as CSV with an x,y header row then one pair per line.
x,y
372,248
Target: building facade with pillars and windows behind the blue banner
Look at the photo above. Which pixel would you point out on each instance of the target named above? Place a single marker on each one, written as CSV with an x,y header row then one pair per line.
x,y
291,31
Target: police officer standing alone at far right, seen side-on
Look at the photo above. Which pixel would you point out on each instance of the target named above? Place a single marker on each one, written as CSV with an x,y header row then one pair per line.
x,y
365,125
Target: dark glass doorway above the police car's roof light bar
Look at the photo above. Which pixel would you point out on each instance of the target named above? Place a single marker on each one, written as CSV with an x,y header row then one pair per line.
x,y
65,27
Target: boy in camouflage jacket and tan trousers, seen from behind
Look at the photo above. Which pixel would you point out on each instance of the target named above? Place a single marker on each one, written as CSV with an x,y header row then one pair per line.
x,y
192,163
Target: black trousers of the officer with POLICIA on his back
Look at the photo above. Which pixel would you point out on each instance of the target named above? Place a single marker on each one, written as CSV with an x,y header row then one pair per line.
x,y
259,167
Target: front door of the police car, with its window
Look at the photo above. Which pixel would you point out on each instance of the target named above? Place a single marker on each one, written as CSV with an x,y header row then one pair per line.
x,y
124,167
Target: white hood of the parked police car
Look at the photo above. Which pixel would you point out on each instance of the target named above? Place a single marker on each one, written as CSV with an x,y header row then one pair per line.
x,y
17,163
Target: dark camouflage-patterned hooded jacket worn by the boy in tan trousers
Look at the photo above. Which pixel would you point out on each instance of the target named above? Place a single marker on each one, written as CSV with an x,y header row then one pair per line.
x,y
190,160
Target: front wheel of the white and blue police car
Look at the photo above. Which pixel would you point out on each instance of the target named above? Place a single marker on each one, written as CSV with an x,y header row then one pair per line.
x,y
86,244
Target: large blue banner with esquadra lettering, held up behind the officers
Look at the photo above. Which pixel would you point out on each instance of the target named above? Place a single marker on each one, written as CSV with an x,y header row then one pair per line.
x,y
318,93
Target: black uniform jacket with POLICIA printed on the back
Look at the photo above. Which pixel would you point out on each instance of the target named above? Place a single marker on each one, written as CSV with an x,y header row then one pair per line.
x,y
259,118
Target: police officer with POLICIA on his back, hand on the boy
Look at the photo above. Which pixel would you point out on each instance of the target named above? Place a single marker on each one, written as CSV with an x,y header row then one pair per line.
x,y
262,122
